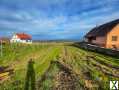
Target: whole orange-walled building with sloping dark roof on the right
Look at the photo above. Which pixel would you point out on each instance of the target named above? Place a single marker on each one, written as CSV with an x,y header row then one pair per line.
x,y
106,35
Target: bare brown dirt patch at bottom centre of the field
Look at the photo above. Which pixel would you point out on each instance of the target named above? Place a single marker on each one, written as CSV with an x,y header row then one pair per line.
x,y
66,79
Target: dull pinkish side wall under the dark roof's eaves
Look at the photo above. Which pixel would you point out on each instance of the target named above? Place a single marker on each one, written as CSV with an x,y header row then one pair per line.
x,y
101,41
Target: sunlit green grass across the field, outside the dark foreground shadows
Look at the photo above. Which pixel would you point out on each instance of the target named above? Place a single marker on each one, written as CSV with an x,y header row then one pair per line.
x,y
17,57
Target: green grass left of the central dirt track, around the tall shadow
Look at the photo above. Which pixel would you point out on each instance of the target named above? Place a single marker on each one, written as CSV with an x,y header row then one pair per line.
x,y
17,57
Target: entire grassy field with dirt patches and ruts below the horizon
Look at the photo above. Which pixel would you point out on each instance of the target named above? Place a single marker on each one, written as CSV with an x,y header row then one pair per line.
x,y
58,66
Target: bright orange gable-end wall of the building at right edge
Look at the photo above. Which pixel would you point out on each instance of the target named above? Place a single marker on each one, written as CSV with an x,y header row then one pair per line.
x,y
114,32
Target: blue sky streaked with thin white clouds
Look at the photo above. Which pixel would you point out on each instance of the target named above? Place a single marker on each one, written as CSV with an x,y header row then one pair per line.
x,y
55,19
